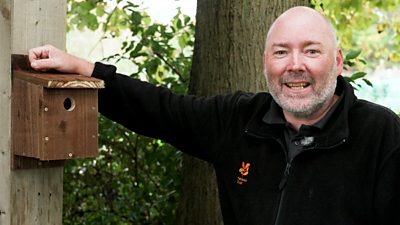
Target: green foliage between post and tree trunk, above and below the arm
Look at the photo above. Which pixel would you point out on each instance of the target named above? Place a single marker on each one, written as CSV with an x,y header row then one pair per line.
x,y
135,179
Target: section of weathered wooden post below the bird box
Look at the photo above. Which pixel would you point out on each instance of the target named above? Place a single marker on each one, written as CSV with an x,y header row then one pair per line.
x,y
36,196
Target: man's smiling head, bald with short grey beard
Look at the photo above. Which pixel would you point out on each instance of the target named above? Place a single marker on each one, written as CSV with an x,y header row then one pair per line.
x,y
301,62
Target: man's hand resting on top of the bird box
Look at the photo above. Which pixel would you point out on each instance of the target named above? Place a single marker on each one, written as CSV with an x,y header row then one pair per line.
x,y
48,57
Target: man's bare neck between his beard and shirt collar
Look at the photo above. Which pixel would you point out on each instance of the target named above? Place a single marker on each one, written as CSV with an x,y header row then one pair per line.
x,y
296,122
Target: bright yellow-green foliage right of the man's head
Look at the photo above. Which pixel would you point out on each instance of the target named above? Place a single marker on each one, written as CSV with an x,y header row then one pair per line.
x,y
372,26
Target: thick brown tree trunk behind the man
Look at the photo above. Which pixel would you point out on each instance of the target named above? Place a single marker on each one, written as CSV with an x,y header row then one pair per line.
x,y
230,38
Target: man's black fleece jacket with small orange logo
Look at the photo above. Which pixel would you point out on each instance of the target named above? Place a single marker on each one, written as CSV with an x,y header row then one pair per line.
x,y
349,175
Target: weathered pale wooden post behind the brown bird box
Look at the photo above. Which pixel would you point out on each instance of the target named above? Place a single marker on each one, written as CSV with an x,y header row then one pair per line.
x,y
32,196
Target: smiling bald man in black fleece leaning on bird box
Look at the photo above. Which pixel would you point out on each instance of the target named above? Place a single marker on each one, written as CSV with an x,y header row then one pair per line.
x,y
307,153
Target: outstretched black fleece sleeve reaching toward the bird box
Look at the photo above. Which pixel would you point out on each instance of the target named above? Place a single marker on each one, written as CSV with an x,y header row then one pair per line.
x,y
192,124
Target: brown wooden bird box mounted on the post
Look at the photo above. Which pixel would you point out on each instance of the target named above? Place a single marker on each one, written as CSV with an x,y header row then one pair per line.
x,y
54,116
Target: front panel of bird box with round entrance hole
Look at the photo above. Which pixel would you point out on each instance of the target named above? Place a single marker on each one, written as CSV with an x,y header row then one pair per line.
x,y
69,124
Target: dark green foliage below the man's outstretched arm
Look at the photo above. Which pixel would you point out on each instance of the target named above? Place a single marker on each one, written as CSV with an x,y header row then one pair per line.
x,y
133,181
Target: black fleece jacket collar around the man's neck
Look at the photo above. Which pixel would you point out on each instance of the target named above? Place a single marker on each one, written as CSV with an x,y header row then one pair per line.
x,y
335,132
